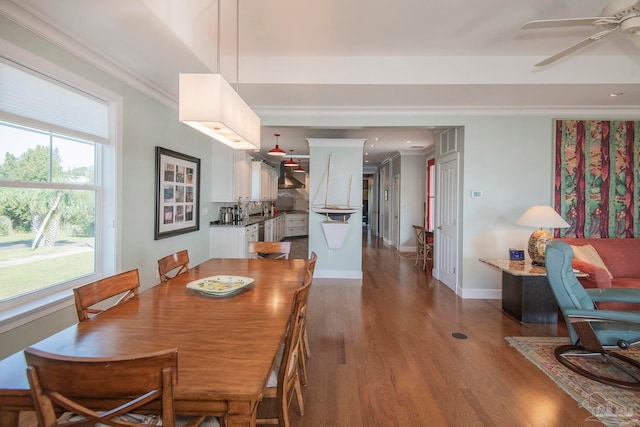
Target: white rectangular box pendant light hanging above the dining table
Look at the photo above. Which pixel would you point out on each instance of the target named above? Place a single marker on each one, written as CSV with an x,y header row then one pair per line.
x,y
209,104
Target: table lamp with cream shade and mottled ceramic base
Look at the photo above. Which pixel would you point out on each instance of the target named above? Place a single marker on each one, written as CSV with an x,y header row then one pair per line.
x,y
542,216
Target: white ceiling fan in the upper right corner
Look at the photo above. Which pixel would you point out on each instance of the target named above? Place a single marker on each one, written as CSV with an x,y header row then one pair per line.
x,y
623,15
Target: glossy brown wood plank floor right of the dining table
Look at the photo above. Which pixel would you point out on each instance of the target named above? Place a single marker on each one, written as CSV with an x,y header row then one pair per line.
x,y
383,355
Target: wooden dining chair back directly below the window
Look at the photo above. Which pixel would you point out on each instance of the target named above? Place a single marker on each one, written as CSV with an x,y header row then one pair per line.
x,y
86,296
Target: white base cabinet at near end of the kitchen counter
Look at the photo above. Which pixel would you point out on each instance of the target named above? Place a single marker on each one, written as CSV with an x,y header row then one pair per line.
x,y
231,241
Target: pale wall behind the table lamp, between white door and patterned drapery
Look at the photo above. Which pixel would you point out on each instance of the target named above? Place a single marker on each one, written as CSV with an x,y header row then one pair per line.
x,y
510,160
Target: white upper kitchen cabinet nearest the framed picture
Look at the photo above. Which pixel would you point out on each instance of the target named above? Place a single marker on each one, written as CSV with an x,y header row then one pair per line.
x,y
230,174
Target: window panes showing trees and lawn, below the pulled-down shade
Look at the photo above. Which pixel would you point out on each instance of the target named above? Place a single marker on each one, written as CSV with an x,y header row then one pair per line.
x,y
47,209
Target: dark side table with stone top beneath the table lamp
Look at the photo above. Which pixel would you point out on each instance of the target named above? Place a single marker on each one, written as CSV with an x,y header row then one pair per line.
x,y
526,295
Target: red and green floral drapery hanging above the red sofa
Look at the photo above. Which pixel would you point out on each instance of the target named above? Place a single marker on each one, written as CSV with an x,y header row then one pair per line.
x,y
597,177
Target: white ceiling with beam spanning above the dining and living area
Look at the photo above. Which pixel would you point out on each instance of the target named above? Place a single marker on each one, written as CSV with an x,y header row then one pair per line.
x,y
307,58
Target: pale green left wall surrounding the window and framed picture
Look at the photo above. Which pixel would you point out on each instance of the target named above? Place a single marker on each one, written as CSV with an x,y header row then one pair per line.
x,y
145,124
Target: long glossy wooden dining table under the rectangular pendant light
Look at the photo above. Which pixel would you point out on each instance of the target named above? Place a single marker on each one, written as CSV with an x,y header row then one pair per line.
x,y
227,346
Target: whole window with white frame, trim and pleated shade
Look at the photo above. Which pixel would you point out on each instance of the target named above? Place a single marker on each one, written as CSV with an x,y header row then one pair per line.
x,y
57,187
